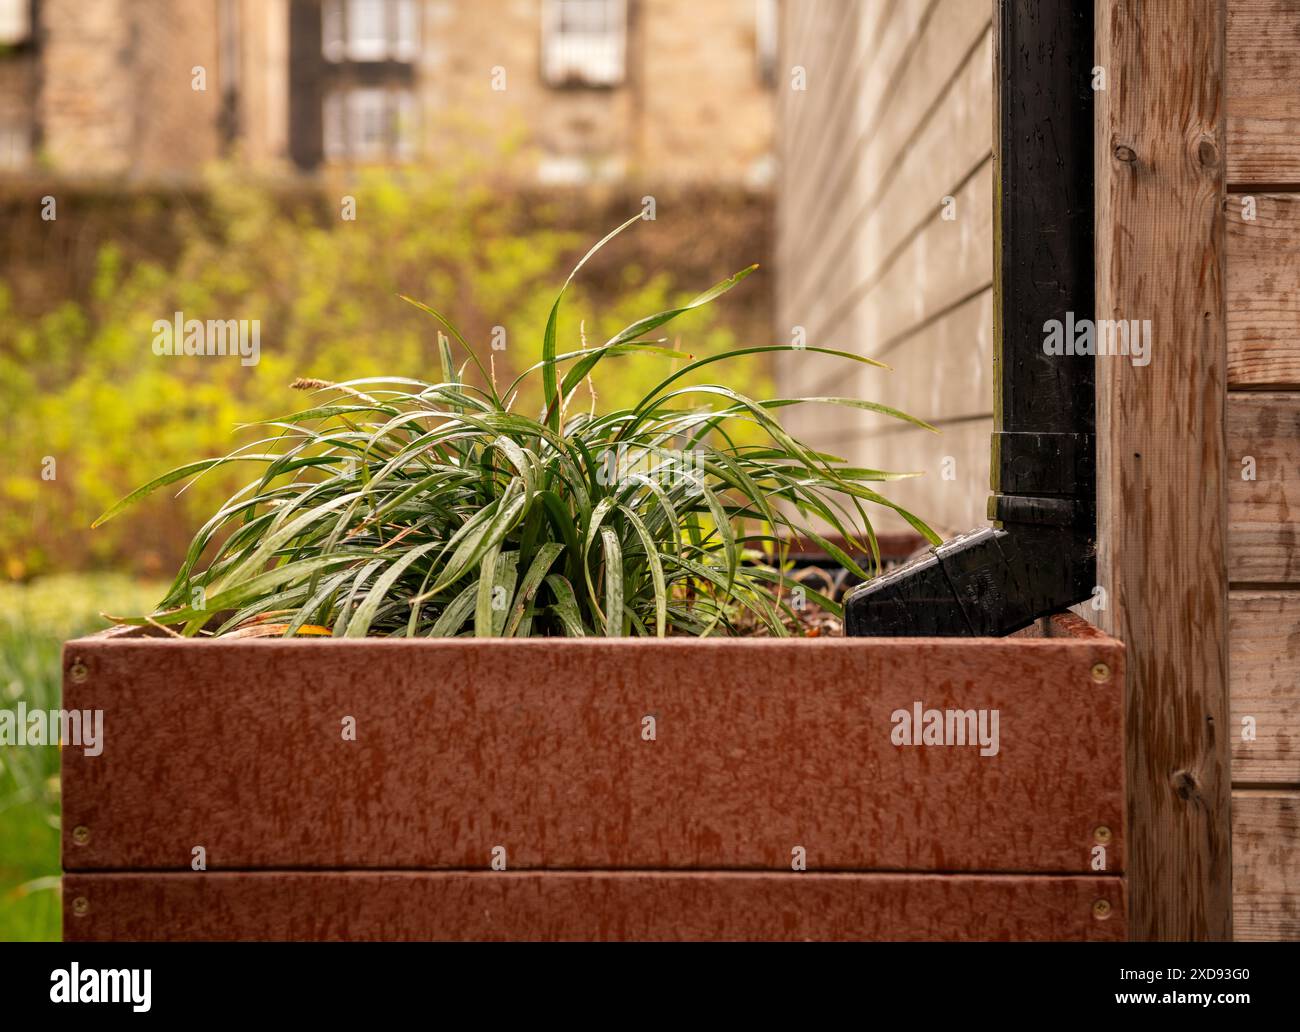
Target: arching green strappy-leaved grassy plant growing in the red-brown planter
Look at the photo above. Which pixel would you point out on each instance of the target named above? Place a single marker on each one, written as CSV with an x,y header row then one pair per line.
x,y
398,508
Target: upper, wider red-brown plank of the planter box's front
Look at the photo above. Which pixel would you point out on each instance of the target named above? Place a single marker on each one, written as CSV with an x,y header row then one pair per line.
x,y
536,747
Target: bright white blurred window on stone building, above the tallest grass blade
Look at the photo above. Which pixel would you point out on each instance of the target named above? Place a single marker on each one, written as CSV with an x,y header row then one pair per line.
x,y
584,42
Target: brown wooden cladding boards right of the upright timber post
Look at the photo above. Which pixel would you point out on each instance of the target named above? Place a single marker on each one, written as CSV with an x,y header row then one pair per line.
x,y
1263,270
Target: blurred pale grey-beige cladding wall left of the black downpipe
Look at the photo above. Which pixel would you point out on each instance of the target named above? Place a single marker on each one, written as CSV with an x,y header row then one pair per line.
x,y
892,132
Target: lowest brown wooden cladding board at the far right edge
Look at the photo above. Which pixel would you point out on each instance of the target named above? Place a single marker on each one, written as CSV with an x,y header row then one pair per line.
x,y
1267,865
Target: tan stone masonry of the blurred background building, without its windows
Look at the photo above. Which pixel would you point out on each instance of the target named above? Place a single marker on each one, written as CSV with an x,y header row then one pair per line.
x,y
111,92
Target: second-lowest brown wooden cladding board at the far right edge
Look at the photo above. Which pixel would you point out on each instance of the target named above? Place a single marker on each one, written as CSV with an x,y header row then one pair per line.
x,y
1264,651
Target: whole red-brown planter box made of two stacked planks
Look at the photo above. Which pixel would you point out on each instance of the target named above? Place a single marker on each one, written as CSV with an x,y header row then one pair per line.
x,y
630,790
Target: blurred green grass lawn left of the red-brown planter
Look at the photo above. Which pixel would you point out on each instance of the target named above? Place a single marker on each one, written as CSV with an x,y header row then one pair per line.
x,y
34,622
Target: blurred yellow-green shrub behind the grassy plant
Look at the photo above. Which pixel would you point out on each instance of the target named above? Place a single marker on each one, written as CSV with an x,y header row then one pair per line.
x,y
89,411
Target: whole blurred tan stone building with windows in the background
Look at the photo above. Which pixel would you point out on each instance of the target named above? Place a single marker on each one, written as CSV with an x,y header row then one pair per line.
x,y
590,90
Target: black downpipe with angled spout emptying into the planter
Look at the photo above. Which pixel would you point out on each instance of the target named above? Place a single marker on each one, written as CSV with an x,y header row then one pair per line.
x,y
1039,557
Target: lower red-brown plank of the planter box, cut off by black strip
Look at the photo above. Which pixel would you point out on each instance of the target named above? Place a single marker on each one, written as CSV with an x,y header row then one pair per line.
x,y
606,907
